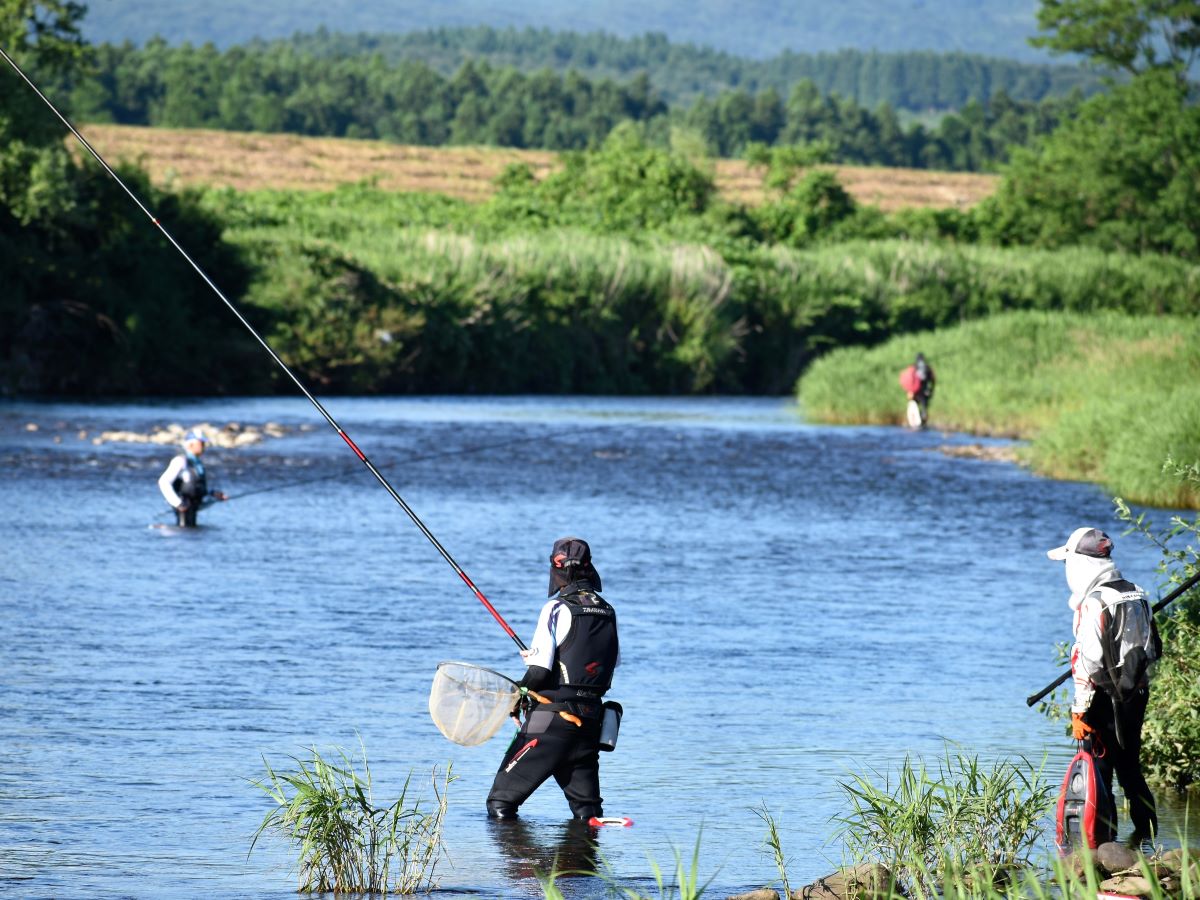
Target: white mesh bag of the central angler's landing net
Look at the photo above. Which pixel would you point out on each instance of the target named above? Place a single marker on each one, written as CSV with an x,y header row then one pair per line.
x,y
470,704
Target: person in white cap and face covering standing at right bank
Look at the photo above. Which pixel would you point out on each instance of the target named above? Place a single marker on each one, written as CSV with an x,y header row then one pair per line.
x,y
1117,643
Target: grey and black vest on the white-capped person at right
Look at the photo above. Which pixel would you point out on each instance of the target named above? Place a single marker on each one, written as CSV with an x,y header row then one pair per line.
x,y
1130,643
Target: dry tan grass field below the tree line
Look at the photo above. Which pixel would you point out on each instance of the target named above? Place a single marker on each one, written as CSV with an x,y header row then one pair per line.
x,y
249,161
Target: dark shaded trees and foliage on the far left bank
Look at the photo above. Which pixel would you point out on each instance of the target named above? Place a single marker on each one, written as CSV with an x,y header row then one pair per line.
x,y
94,301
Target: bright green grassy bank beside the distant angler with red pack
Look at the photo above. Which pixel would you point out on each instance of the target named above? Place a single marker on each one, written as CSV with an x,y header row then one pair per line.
x,y
1103,398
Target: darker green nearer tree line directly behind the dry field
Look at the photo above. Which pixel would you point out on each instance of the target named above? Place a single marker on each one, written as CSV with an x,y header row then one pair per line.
x,y
278,88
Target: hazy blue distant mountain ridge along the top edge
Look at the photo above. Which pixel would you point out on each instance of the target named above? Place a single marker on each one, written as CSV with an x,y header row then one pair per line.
x,y
749,28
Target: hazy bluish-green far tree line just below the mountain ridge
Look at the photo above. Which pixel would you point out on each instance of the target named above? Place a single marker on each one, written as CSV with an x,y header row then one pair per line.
x,y
914,81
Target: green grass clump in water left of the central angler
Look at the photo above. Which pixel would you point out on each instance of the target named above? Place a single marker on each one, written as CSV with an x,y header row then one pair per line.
x,y
346,843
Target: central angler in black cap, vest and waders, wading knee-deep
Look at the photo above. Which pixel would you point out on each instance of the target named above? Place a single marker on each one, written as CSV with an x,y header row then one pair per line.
x,y
571,663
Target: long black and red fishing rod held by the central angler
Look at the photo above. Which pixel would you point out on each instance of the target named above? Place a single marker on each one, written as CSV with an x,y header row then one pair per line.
x,y
325,413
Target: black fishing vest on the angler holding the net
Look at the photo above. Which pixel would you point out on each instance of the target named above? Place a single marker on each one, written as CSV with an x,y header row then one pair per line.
x,y
587,657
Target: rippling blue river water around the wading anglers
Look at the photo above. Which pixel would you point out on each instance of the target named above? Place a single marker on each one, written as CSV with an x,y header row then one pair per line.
x,y
799,604
